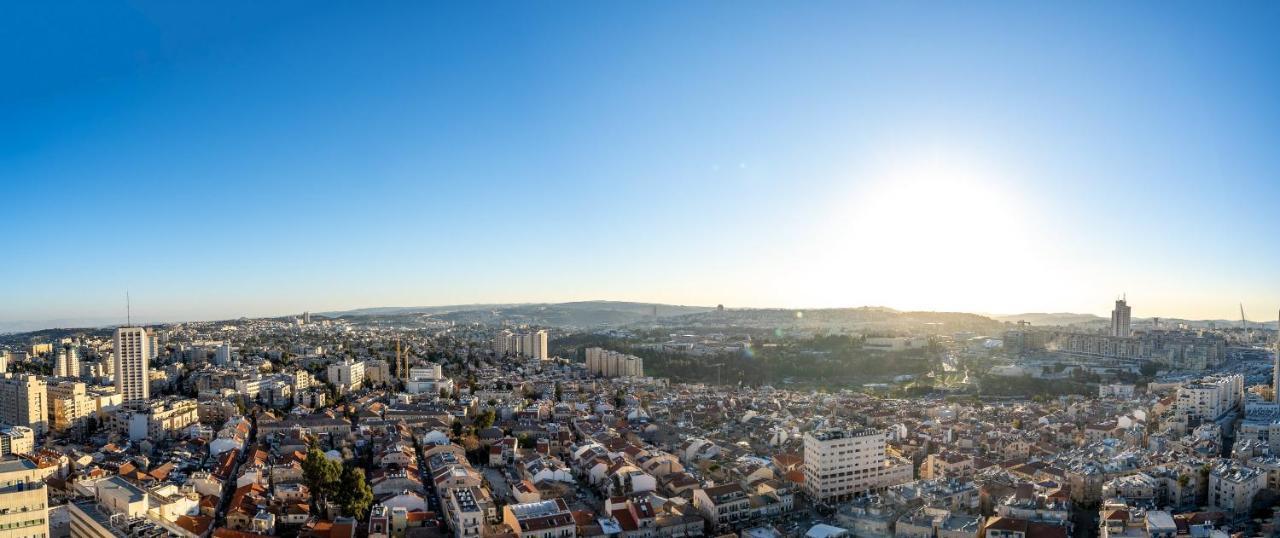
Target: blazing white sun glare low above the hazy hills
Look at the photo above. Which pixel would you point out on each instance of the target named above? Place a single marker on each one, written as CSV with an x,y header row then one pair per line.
x,y
932,235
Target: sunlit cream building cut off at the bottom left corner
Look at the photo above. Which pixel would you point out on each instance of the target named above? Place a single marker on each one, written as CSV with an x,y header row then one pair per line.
x,y
24,500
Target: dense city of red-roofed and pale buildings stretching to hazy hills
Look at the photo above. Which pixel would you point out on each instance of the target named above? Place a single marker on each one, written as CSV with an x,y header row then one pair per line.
x,y
714,422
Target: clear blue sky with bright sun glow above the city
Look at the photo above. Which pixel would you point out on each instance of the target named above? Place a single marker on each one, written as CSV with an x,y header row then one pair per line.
x,y
267,158
